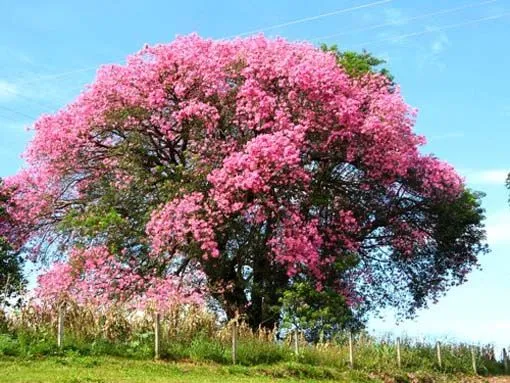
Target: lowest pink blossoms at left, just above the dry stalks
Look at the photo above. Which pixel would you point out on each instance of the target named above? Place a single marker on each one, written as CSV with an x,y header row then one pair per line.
x,y
94,276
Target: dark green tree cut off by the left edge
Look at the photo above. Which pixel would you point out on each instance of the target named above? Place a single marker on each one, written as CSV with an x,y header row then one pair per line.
x,y
12,280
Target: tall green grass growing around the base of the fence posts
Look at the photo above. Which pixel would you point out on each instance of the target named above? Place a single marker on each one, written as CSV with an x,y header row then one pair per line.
x,y
370,356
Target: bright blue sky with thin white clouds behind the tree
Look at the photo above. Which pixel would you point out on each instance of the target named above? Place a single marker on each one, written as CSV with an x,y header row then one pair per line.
x,y
449,57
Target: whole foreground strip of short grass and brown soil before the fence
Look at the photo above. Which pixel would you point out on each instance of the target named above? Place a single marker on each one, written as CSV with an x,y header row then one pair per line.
x,y
79,369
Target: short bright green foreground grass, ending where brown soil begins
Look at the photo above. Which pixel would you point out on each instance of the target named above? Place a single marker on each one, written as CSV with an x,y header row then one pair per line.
x,y
109,369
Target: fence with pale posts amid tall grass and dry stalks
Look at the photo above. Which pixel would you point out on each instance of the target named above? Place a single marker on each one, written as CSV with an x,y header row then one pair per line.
x,y
197,335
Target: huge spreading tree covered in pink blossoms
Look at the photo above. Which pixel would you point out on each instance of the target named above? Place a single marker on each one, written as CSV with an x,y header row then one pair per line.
x,y
259,163
